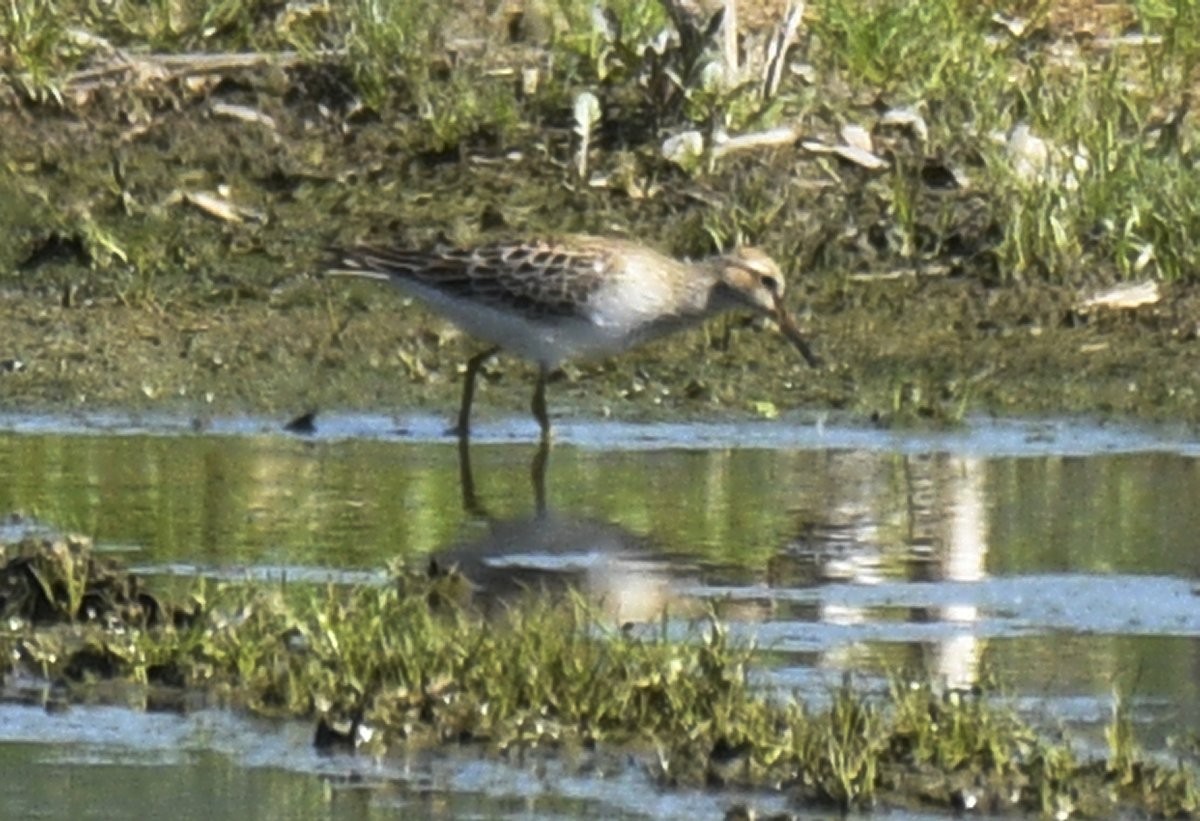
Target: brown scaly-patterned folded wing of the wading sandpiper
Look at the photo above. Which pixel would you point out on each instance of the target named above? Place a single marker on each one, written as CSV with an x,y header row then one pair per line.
x,y
536,279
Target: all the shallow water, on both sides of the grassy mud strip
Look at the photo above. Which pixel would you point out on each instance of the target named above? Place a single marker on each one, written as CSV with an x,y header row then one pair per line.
x,y
1059,558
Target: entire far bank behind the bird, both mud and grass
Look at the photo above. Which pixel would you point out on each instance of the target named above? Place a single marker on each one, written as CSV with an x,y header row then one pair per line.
x,y
160,231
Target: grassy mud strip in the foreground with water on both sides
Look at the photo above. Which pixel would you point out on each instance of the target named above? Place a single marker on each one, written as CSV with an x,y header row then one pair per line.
x,y
412,663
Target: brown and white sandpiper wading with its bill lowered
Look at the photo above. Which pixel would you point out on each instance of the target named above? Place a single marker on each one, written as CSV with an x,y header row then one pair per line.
x,y
577,297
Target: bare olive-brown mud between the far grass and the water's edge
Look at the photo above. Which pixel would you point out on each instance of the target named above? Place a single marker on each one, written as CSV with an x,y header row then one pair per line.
x,y
118,292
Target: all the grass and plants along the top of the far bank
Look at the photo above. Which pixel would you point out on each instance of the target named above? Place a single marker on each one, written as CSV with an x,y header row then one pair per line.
x,y
1130,213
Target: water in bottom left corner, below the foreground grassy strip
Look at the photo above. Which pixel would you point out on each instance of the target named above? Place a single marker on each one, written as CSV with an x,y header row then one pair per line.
x,y
113,764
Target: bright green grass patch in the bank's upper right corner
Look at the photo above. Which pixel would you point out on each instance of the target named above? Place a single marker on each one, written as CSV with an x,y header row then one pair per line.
x,y
1130,213
